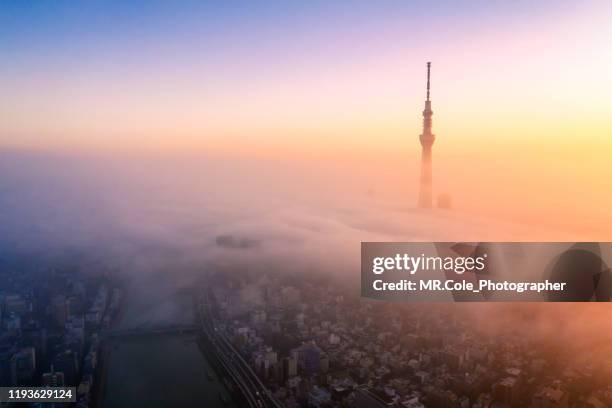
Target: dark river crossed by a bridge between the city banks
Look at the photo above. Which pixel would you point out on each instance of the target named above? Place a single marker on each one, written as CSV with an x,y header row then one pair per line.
x,y
159,370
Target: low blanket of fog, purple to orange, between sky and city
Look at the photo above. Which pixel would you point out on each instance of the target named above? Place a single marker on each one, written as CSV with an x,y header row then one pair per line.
x,y
162,222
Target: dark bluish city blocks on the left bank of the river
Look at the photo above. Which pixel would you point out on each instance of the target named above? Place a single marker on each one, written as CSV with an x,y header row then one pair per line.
x,y
52,324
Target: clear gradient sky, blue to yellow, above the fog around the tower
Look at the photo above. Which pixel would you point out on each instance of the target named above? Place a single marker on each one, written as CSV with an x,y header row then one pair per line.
x,y
520,90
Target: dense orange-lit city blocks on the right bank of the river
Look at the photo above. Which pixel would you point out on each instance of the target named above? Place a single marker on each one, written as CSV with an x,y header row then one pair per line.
x,y
317,347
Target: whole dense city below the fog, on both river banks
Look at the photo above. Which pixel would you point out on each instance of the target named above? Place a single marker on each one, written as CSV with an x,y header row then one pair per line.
x,y
303,342
